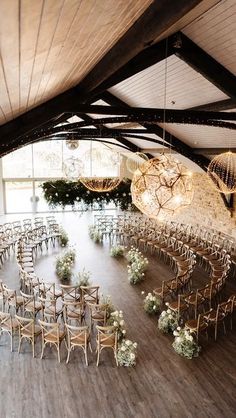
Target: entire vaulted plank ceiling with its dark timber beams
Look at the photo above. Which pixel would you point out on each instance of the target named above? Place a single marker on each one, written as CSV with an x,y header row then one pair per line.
x,y
149,75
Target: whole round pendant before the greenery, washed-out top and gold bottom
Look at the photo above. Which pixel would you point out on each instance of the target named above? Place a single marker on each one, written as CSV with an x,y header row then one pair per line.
x,y
102,163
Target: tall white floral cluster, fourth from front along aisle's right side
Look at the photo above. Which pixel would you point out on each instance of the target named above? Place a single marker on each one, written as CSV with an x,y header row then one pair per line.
x,y
137,265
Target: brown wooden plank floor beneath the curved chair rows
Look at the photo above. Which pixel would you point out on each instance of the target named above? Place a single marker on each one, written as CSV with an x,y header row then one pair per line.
x,y
161,385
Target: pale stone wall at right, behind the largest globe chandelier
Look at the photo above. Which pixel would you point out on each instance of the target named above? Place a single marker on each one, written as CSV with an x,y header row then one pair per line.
x,y
208,208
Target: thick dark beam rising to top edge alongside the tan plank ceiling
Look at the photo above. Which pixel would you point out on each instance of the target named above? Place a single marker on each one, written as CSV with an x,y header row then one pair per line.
x,y
159,17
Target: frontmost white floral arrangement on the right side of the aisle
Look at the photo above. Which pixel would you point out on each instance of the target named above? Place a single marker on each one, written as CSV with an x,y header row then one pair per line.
x,y
184,343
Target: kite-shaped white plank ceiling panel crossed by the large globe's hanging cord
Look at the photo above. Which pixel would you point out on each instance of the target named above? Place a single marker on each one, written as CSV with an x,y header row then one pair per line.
x,y
184,87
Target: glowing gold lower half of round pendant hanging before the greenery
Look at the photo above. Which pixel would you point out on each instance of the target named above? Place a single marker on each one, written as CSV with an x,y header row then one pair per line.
x,y
100,184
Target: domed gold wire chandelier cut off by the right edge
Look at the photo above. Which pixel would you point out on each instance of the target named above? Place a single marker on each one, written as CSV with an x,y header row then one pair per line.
x,y
222,172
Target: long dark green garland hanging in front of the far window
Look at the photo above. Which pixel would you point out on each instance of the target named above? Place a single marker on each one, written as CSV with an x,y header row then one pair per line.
x,y
64,192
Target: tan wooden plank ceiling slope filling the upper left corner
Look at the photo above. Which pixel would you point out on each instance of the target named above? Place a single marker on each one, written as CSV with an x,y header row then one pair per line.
x,y
48,46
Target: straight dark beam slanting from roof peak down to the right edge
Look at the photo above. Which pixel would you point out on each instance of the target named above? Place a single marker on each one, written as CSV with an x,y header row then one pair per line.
x,y
208,67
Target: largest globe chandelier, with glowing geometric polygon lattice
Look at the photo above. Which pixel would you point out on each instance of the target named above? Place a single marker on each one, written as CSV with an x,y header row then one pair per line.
x,y
161,186
